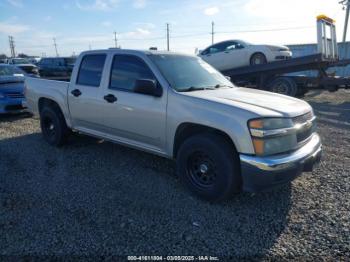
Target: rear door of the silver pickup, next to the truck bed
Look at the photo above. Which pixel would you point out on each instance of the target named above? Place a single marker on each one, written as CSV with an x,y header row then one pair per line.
x,y
84,94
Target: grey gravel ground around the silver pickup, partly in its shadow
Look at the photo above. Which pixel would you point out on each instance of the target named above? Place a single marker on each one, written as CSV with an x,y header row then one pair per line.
x,y
93,198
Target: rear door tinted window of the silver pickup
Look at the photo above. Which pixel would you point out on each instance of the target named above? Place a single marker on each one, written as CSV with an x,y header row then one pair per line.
x,y
91,69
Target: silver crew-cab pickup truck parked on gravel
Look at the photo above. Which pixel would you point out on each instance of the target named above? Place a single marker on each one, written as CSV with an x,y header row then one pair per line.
x,y
224,138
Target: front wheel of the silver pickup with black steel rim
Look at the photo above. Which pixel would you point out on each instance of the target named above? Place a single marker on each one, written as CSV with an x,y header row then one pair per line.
x,y
209,167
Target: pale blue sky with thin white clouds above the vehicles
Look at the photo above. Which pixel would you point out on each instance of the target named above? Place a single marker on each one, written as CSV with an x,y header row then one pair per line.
x,y
78,25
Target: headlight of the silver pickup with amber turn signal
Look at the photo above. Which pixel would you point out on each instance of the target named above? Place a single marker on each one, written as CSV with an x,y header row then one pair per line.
x,y
272,135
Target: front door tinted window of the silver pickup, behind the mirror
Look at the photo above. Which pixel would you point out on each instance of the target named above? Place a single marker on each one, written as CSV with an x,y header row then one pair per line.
x,y
126,70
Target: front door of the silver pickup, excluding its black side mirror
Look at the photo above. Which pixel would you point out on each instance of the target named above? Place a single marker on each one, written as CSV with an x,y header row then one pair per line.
x,y
133,118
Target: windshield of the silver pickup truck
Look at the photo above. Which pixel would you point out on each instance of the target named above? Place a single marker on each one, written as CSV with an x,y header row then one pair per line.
x,y
187,73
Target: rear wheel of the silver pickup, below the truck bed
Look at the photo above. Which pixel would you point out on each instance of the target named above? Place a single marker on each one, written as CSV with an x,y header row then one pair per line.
x,y
53,126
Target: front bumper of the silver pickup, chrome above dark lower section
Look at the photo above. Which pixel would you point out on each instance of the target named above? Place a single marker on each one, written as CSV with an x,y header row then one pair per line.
x,y
260,173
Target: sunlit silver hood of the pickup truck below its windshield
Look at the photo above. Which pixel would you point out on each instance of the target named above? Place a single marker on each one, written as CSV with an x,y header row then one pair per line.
x,y
259,102
